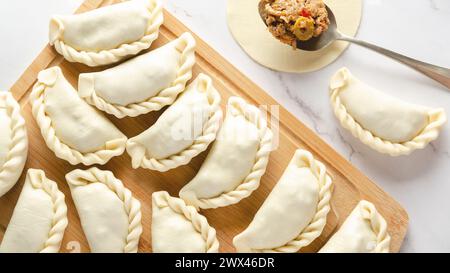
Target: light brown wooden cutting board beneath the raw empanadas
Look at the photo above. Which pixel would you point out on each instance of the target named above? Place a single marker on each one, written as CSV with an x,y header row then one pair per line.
x,y
350,185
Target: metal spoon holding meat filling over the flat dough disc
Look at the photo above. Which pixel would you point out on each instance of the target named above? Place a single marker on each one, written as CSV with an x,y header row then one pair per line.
x,y
440,74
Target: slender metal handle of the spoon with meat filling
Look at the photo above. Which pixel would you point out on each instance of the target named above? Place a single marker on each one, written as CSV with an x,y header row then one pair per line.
x,y
439,74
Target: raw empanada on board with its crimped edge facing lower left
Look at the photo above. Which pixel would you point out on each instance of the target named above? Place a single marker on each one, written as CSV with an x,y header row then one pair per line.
x,y
72,129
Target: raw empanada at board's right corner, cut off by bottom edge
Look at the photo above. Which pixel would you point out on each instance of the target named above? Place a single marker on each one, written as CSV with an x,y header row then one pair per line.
x,y
364,231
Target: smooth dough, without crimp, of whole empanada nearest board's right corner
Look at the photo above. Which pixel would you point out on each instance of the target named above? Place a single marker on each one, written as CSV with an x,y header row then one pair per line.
x,y
288,209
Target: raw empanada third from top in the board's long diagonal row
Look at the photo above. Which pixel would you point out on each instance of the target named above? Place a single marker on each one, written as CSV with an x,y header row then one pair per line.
x,y
183,131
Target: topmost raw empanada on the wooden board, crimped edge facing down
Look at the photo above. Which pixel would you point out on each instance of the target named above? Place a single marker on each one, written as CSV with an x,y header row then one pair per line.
x,y
108,34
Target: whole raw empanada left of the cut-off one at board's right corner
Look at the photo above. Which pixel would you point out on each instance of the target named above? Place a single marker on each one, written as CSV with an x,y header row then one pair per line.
x,y
295,212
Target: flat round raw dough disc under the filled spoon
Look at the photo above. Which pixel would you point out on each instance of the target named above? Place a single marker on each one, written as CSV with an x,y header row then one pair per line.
x,y
252,35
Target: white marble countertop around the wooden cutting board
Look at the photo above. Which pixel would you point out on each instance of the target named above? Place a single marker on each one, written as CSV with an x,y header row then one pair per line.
x,y
420,182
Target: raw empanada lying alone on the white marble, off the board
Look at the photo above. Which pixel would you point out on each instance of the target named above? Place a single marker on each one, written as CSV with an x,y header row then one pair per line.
x,y
384,123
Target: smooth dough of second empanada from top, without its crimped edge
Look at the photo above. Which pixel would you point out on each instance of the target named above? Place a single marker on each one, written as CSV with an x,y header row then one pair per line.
x,y
135,80
